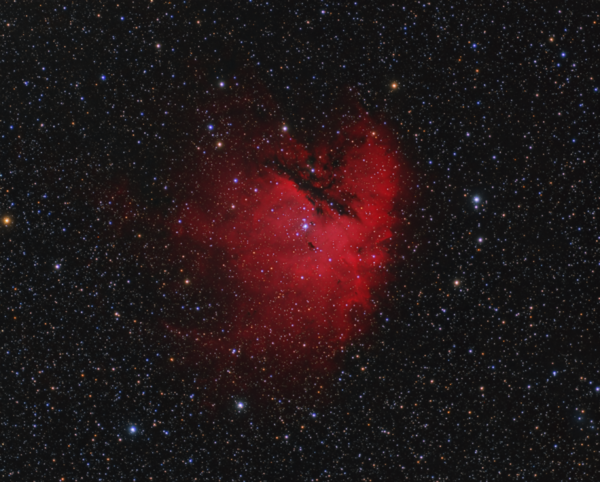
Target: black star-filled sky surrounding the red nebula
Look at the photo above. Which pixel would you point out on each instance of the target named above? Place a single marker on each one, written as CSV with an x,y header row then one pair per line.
x,y
496,378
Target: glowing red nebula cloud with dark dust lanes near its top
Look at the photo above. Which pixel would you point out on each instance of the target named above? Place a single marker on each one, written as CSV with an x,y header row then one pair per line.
x,y
291,245
